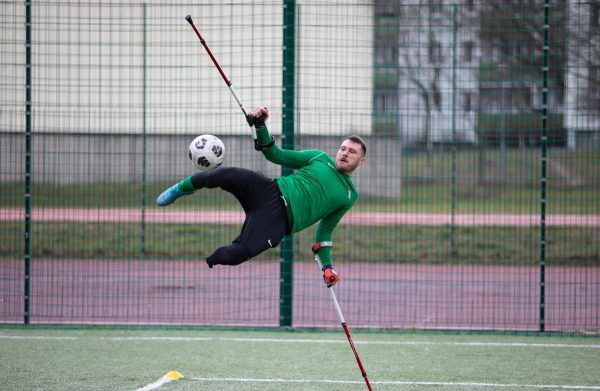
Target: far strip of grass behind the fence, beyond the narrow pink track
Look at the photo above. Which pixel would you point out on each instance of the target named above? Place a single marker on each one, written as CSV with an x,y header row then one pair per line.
x,y
468,181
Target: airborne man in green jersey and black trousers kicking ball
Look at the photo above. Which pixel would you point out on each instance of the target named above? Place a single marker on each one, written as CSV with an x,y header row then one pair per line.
x,y
321,190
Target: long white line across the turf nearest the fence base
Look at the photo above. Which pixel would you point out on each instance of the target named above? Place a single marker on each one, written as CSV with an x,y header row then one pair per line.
x,y
312,341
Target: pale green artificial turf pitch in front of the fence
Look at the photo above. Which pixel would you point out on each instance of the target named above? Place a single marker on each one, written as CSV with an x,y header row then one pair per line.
x,y
127,359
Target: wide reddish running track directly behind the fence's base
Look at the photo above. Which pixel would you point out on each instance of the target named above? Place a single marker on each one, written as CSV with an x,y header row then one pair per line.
x,y
386,296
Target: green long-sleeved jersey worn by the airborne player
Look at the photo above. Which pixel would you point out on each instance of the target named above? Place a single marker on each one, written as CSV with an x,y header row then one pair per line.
x,y
316,192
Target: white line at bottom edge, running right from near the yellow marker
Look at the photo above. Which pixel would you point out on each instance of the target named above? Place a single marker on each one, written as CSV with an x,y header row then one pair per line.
x,y
421,383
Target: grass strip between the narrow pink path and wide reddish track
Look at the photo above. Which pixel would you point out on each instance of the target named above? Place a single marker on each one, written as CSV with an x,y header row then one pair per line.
x,y
412,244
